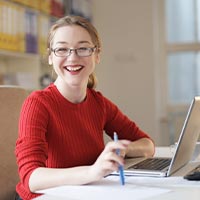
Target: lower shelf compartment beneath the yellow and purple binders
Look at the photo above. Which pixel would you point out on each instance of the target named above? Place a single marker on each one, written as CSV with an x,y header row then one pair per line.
x,y
20,69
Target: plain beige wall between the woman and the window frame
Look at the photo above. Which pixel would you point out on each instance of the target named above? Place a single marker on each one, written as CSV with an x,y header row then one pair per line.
x,y
126,73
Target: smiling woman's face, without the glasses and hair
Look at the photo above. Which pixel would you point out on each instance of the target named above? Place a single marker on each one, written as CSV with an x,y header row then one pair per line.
x,y
73,69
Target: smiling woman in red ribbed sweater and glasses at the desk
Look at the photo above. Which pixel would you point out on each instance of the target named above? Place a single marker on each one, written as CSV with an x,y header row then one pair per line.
x,y
61,127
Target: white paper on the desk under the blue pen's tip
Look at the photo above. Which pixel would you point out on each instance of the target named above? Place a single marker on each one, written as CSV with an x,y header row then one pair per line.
x,y
109,187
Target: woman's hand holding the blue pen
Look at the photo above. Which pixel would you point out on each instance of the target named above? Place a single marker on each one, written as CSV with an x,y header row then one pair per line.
x,y
108,161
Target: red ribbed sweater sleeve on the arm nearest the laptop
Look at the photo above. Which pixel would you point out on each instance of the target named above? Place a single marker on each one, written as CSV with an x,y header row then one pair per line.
x,y
116,121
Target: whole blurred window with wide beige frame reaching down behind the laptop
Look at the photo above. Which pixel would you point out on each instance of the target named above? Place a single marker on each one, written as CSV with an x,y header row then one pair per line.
x,y
178,61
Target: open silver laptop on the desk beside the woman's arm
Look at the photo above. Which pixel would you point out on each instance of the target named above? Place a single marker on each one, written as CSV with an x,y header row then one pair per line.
x,y
163,167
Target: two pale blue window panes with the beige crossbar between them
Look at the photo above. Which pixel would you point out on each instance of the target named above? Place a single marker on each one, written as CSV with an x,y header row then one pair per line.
x,y
182,19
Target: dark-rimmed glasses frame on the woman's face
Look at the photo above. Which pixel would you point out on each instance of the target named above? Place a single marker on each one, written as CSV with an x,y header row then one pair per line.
x,y
70,50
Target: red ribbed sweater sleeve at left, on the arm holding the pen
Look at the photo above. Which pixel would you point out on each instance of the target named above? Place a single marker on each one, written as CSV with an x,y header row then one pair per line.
x,y
31,145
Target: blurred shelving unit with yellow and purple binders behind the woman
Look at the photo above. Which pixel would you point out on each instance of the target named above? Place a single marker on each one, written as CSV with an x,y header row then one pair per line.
x,y
23,32
